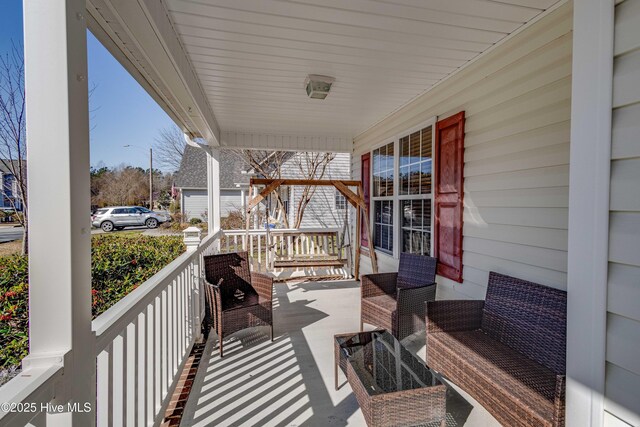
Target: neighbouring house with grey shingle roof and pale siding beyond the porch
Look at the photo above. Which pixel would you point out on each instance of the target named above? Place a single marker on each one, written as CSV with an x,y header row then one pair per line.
x,y
326,208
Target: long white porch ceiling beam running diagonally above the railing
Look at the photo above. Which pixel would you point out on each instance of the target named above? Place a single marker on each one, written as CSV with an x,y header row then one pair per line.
x,y
140,36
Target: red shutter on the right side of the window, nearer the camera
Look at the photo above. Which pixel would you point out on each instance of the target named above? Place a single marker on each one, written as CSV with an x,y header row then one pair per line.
x,y
449,193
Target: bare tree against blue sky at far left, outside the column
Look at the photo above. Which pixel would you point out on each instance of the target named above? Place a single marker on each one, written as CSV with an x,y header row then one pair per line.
x,y
13,150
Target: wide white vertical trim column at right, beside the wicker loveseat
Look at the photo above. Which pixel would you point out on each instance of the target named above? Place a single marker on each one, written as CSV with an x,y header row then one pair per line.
x,y
589,211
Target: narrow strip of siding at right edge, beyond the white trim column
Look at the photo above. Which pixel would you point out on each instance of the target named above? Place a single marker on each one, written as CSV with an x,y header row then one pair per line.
x,y
623,293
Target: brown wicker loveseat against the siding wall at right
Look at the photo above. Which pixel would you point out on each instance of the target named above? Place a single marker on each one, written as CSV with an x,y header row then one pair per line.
x,y
508,352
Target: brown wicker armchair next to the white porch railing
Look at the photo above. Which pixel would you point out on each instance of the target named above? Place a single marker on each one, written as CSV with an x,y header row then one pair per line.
x,y
236,298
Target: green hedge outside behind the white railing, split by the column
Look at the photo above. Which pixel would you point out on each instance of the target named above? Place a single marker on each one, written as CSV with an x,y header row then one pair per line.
x,y
119,264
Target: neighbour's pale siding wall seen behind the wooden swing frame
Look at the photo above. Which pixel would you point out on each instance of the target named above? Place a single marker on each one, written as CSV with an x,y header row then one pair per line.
x,y
321,211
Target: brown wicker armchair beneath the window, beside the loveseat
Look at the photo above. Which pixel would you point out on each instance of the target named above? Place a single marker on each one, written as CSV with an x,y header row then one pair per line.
x,y
396,301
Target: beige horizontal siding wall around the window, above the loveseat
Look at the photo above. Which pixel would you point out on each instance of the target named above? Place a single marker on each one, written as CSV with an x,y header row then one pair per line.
x,y
517,104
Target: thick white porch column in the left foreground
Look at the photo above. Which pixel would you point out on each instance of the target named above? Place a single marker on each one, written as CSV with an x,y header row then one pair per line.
x,y
60,229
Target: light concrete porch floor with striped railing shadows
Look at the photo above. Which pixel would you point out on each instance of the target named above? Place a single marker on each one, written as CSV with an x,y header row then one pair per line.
x,y
289,382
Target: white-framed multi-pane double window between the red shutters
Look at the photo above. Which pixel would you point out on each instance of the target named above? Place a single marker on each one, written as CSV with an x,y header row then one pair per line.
x,y
402,192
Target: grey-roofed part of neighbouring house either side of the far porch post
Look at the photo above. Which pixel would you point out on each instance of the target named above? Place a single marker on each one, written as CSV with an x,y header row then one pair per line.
x,y
191,181
